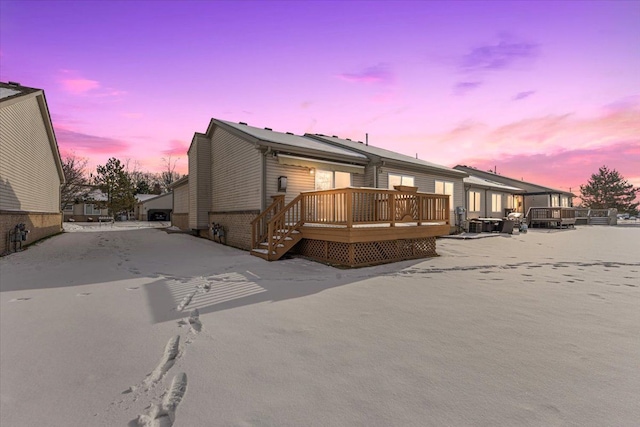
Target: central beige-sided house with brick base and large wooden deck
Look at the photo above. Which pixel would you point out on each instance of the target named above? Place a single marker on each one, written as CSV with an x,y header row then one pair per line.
x,y
266,191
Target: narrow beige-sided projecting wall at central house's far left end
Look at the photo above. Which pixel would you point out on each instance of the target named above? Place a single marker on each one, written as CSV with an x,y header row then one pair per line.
x,y
199,182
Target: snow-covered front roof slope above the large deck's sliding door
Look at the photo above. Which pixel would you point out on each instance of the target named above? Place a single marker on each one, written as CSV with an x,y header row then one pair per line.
x,y
292,140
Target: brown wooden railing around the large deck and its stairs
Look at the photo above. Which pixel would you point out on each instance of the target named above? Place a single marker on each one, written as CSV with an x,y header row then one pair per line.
x,y
349,208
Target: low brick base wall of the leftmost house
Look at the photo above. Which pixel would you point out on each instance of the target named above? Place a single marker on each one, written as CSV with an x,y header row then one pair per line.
x,y
40,225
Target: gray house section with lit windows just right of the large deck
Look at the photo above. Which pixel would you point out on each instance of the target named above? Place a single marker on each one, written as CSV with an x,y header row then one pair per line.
x,y
490,199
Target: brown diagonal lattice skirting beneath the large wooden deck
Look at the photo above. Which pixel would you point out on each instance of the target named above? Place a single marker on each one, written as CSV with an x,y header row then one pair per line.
x,y
361,254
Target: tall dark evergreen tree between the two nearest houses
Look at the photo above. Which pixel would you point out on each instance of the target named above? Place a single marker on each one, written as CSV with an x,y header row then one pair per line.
x,y
115,183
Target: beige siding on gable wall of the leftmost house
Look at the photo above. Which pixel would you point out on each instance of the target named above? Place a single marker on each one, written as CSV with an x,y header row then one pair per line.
x,y
29,179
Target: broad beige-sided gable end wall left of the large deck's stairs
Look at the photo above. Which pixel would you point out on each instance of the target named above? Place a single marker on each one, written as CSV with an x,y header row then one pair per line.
x,y
236,173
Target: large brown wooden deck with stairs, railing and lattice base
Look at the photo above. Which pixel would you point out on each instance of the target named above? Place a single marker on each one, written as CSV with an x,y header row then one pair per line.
x,y
349,226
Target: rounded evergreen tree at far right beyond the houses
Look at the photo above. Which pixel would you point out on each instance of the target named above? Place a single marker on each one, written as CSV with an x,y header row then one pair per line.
x,y
608,189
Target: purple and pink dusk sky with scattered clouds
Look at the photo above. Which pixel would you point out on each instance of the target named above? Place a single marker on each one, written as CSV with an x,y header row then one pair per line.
x,y
545,91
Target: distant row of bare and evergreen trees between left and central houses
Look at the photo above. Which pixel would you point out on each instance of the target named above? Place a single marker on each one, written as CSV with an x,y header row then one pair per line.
x,y
119,182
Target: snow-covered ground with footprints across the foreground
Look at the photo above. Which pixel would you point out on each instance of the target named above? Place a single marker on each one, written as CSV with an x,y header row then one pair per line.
x,y
127,327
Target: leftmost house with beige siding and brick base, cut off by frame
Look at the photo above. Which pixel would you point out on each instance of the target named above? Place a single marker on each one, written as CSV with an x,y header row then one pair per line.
x,y
30,166
